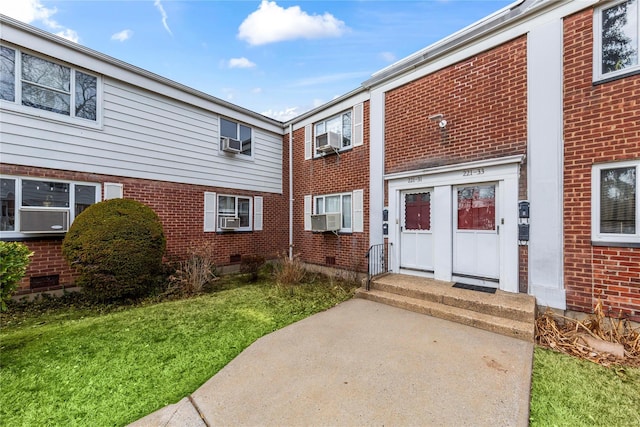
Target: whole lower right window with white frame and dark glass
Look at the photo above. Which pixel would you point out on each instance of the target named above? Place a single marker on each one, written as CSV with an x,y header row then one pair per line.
x,y
615,212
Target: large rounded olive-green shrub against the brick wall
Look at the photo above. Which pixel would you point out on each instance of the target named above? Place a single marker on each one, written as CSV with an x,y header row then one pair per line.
x,y
117,247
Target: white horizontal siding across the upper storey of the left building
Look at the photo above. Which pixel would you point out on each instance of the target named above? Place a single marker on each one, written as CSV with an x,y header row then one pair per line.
x,y
145,135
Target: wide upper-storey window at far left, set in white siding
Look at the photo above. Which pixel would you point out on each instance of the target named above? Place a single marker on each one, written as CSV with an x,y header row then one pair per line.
x,y
45,85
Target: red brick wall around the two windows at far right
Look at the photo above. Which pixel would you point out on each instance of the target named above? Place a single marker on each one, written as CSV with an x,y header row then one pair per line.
x,y
601,125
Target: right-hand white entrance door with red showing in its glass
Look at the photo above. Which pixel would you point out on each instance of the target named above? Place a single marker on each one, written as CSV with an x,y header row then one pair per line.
x,y
476,239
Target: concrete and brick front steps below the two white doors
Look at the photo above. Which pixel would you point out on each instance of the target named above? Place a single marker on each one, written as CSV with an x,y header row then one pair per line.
x,y
504,313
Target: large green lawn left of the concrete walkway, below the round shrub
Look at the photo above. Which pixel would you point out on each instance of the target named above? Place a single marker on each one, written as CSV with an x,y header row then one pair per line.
x,y
78,367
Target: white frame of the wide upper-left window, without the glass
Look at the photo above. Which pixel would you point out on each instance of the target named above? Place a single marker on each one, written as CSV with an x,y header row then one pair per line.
x,y
16,104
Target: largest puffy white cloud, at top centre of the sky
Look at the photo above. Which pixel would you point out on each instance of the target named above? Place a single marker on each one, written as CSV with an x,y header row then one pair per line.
x,y
272,23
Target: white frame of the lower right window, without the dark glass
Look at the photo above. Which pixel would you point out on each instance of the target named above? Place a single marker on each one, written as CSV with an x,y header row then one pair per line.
x,y
613,239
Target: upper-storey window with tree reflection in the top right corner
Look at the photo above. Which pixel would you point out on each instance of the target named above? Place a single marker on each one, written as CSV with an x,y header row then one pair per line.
x,y
616,30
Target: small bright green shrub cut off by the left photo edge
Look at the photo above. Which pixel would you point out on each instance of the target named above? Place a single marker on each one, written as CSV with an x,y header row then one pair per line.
x,y
14,259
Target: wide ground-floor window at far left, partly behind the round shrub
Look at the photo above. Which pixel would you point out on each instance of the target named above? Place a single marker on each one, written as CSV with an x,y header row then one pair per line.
x,y
33,202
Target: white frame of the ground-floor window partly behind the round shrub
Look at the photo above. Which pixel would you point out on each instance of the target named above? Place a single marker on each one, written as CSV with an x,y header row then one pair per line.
x,y
18,203
